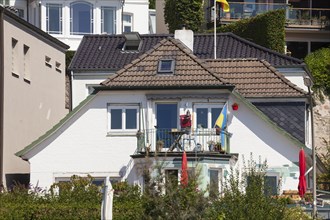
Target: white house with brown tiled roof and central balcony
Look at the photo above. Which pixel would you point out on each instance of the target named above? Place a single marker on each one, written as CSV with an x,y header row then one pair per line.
x,y
131,121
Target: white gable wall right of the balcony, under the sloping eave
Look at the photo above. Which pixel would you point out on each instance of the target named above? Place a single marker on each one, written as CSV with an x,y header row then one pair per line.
x,y
252,135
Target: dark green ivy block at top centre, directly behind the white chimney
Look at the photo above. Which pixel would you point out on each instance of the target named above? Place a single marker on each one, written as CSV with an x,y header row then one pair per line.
x,y
188,13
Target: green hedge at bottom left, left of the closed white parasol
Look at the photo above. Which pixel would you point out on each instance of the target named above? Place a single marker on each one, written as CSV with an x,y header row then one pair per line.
x,y
78,199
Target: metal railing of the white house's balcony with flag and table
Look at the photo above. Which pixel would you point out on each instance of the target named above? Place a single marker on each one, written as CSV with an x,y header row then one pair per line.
x,y
168,140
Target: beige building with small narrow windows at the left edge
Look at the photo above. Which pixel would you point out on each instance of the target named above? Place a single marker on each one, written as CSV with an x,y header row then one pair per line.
x,y
32,90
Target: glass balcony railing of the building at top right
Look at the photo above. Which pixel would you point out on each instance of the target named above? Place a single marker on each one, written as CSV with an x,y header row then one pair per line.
x,y
294,16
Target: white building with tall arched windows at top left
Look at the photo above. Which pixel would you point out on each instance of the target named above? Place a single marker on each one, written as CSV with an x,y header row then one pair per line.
x,y
69,20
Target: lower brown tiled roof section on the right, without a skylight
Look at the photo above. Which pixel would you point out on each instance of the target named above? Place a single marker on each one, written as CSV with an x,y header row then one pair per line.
x,y
254,78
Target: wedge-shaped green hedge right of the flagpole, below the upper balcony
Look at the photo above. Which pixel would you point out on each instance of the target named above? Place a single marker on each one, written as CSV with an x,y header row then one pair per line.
x,y
266,29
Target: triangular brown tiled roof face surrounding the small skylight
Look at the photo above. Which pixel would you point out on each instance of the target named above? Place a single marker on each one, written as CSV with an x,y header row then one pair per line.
x,y
189,71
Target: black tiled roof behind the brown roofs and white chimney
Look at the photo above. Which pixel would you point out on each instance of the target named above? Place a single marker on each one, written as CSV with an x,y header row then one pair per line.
x,y
104,52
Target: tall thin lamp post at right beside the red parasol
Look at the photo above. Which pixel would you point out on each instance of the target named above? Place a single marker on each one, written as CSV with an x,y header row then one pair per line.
x,y
309,83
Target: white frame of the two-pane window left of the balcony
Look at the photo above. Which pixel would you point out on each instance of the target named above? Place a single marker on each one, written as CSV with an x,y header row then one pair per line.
x,y
123,107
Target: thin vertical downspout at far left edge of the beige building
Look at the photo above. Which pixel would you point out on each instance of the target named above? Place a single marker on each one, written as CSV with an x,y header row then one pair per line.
x,y
2,96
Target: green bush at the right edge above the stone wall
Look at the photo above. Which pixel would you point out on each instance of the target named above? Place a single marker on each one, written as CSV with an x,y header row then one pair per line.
x,y
319,64
